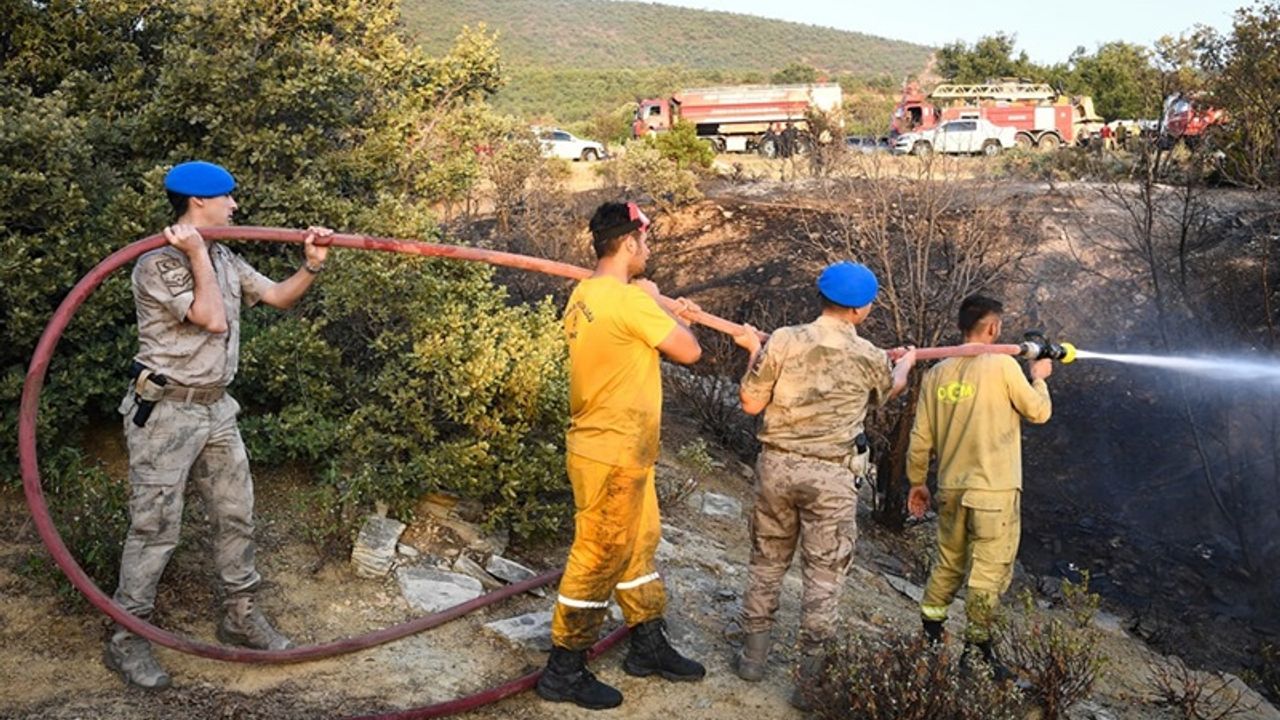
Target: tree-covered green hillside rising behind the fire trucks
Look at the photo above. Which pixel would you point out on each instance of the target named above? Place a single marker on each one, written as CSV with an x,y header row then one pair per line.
x,y
573,60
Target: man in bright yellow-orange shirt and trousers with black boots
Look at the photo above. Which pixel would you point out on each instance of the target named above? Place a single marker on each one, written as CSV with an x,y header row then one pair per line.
x,y
616,331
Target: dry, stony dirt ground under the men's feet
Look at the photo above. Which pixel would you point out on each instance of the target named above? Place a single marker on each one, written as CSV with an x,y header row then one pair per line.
x,y
52,654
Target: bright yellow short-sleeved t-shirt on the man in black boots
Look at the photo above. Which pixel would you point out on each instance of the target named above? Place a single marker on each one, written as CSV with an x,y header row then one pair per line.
x,y
615,379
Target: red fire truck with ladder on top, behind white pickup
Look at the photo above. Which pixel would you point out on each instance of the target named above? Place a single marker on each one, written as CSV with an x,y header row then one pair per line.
x,y
1041,117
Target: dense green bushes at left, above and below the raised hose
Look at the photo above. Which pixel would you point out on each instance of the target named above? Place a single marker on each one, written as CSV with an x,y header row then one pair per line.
x,y
391,376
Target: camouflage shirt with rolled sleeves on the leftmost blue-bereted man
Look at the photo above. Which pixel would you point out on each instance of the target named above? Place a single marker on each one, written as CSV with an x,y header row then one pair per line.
x,y
163,293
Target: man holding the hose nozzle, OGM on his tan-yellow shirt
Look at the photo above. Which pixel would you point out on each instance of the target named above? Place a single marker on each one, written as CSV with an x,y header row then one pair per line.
x,y
970,417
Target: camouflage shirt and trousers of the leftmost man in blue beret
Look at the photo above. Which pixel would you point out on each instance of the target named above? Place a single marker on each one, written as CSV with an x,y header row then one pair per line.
x,y
191,431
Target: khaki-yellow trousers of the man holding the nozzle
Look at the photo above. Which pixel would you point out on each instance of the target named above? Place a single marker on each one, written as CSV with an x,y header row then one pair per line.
x,y
979,534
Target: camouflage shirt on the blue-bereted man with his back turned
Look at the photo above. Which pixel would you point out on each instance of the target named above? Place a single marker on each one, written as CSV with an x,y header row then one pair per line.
x,y
817,382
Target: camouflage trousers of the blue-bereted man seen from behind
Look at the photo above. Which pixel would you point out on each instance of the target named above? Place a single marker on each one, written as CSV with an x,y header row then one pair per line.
x,y
815,503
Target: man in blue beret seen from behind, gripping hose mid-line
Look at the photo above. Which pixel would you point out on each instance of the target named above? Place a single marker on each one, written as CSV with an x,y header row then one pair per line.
x,y
815,385
